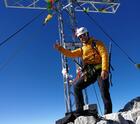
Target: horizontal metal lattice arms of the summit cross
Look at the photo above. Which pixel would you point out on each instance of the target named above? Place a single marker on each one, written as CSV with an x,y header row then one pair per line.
x,y
98,6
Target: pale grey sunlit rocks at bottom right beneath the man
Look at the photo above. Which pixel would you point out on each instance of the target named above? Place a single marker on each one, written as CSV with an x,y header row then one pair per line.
x,y
130,114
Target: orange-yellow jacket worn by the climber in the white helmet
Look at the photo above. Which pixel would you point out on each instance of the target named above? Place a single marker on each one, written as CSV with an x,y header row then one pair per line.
x,y
90,55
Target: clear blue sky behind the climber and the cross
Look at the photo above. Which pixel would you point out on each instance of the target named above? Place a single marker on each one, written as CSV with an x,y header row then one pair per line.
x,y
31,86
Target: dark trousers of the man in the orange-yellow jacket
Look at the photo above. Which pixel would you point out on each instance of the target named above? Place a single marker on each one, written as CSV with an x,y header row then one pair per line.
x,y
104,89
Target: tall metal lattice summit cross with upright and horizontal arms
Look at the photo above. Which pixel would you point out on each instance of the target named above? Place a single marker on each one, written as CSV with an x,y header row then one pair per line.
x,y
66,10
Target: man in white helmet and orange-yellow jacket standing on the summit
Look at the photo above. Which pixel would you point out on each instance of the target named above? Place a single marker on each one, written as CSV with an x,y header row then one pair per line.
x,y
96,66
